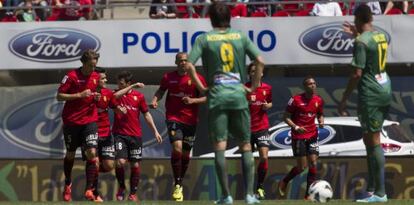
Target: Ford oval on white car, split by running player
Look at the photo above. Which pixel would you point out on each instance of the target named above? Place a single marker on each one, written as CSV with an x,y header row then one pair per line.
x,y
281,138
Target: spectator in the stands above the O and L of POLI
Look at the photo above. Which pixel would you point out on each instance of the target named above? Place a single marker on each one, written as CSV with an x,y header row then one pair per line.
x,y
160,11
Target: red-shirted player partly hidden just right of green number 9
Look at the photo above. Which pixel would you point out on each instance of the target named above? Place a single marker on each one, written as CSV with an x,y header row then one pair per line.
x,y
260,101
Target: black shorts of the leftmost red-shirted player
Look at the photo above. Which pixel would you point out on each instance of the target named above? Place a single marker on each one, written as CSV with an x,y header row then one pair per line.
x,y
84,136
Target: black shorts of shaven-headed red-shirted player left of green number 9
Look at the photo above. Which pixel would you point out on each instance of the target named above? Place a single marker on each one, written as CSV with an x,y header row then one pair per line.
x,y
180,131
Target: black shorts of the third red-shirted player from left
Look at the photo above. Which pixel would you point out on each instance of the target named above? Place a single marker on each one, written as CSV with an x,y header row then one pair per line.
x,y
128,147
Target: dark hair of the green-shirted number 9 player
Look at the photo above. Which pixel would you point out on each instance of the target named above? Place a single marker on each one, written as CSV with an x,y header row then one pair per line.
x,y
219,15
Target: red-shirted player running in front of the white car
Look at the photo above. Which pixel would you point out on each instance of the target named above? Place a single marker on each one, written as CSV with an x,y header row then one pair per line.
x,y
300,115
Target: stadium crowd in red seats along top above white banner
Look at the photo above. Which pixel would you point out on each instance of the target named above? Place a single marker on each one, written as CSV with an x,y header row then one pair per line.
x,y
67,10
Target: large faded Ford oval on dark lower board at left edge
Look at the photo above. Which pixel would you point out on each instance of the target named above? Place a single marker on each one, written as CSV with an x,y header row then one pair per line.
x,y
36,126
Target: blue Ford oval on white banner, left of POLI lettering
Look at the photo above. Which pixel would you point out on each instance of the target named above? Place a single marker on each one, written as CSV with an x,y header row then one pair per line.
x,y
53,45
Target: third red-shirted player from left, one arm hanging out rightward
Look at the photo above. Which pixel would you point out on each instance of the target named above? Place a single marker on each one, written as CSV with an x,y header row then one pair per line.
x,y
128,135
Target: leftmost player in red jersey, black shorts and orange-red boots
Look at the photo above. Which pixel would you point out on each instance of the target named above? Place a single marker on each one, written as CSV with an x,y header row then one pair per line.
x,y
79,115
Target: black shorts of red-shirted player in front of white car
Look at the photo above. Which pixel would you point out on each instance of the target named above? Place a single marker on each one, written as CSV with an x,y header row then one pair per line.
x,y
305,147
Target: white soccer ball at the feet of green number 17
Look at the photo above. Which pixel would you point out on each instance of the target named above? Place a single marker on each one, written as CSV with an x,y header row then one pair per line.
x,y
320,191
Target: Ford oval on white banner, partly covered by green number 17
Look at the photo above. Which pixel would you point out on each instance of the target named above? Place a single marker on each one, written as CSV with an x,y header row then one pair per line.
x,y
330,40
